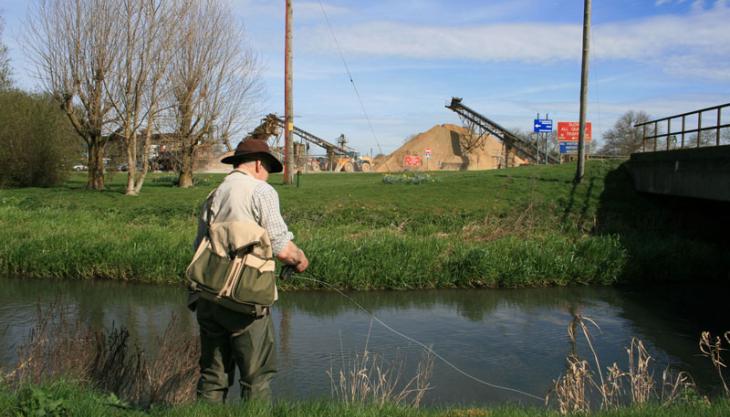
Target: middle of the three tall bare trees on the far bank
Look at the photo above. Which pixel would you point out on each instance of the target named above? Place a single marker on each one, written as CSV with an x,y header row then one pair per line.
x,y
134,89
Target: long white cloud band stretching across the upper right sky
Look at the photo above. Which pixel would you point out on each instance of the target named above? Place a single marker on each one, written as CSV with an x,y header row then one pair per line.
x,y
699,37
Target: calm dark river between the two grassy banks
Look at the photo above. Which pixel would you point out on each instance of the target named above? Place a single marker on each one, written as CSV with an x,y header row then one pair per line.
x,y
514,338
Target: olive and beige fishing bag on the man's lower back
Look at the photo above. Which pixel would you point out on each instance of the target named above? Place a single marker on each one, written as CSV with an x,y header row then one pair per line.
x,y
233,266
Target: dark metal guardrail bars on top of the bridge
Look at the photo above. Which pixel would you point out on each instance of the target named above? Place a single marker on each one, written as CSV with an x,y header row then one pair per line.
x,y
657,131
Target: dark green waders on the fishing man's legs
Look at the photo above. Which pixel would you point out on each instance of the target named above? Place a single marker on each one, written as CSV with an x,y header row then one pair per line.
x,y
229,339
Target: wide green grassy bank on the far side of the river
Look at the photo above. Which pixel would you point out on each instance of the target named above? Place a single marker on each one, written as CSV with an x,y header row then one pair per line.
x,y
527,226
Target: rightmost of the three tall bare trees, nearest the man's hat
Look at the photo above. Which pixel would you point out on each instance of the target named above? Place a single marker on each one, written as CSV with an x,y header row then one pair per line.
x,y
212,76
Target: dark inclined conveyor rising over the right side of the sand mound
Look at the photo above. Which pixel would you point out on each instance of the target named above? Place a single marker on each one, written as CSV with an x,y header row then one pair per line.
x,y
512,143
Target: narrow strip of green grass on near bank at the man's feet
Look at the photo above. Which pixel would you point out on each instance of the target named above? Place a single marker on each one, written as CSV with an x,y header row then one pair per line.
x,y
63,398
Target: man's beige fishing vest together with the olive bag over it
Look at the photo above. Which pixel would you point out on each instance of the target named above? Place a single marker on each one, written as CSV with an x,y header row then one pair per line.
x,y
233,264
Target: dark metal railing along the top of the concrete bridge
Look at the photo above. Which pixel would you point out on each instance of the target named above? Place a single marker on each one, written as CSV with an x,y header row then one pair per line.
x,y
704,127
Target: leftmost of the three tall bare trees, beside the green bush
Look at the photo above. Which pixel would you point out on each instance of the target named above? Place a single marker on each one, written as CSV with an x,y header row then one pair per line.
x,y
74,46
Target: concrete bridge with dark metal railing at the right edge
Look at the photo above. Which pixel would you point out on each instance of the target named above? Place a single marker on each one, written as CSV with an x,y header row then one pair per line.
x,y
694,166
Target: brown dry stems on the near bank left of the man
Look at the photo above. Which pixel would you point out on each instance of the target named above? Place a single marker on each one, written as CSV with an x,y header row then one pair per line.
x,y
109,360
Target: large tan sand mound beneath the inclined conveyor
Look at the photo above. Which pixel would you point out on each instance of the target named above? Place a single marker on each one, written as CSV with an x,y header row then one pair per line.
x,y
445,144
